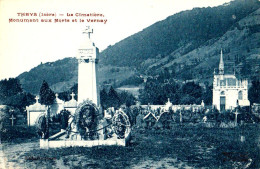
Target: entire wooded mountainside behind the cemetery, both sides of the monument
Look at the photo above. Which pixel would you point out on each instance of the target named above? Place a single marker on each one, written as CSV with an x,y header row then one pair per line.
x,y
187,43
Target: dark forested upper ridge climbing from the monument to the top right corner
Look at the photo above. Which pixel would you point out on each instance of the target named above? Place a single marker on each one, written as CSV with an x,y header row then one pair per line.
x,y
189,28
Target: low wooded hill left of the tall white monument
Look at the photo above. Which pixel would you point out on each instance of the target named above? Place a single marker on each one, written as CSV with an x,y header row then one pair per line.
x,y
60,73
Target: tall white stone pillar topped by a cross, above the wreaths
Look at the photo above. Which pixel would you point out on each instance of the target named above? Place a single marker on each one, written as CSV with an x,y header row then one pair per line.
x,y
87,69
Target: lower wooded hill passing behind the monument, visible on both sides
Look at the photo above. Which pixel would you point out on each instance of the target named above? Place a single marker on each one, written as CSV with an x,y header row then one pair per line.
x,y
61,75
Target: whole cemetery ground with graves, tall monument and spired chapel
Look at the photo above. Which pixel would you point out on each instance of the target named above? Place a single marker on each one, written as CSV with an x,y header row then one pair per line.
x,y
81,133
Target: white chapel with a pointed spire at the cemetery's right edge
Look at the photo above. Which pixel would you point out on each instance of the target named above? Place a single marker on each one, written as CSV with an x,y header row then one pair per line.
x,y
228,91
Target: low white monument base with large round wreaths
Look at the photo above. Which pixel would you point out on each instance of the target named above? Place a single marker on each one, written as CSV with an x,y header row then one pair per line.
x,y
105,132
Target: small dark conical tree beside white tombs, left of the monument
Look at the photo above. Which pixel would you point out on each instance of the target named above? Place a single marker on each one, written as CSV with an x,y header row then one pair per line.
x,y
47,96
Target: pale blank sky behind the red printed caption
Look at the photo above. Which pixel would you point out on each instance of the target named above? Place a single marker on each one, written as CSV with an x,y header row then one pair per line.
x,y
26,45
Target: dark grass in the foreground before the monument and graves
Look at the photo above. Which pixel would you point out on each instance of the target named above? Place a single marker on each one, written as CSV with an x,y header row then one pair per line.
x,y
192,146
